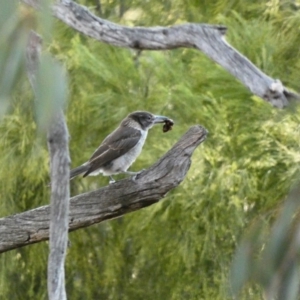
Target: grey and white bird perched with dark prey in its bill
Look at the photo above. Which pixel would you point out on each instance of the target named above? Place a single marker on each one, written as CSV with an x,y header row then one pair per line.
x,y
120,149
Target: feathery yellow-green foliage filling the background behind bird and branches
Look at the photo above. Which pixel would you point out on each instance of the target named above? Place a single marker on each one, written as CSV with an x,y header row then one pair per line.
x,y
182,247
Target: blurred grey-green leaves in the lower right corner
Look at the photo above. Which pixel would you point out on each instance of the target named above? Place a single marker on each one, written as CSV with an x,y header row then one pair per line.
x,y
270,257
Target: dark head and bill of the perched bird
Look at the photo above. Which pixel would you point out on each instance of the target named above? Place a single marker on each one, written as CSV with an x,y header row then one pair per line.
x,y
146,120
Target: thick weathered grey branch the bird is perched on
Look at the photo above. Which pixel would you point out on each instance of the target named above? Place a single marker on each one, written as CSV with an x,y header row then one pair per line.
x,y
108,202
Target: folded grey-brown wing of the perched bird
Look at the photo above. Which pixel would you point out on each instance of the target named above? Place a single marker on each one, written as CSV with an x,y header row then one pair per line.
x,y
115,145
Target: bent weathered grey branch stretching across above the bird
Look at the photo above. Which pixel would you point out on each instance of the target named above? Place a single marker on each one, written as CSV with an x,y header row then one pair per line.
x,y
206,38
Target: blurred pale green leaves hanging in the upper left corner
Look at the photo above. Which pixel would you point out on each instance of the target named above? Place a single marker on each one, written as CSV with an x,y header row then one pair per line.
x,y
50,84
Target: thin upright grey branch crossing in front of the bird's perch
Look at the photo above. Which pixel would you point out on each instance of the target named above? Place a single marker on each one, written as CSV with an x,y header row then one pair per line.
x,y
60,195
